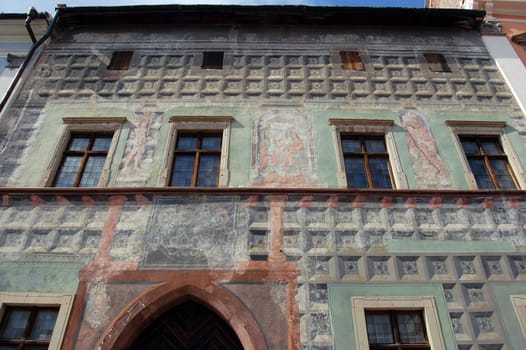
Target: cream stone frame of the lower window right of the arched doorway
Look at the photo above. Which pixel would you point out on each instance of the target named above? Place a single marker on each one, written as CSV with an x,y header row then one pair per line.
x,y
425,303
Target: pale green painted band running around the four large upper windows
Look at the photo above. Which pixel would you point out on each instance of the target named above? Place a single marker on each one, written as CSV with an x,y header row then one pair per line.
x,y
241,142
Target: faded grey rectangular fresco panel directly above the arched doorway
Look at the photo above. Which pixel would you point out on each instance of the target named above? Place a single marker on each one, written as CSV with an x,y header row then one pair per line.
x,y
181,233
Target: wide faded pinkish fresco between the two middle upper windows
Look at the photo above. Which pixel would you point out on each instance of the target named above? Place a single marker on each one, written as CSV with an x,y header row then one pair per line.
x,y
283,149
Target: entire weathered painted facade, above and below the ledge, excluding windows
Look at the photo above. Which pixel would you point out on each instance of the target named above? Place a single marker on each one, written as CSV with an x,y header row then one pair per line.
x,y
261,257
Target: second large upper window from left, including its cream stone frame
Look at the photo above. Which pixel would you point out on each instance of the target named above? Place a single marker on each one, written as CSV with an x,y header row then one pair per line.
x,y
197,153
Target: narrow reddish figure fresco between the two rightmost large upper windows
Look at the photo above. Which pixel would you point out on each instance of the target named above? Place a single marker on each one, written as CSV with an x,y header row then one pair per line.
x,y
428,167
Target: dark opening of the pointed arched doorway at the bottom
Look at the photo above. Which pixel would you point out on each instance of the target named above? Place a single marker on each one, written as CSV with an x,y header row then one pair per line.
x,y
189,325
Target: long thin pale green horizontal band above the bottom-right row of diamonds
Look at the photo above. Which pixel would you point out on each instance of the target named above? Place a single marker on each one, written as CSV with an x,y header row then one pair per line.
x,y
430,246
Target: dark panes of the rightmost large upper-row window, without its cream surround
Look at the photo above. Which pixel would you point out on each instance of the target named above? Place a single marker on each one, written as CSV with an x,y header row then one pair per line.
x,y
488,162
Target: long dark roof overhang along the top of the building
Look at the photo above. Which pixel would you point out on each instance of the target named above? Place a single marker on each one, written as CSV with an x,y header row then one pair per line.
x,y
278,15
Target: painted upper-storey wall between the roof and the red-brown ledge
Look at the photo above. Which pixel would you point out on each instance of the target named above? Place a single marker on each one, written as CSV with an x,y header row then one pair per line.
x,y
281,98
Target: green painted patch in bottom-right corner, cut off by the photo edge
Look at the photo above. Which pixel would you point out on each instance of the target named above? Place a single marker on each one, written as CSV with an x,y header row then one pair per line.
x,y
507,311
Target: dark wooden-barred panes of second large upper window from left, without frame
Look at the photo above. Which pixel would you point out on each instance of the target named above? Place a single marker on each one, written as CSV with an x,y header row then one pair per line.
x,y
196,160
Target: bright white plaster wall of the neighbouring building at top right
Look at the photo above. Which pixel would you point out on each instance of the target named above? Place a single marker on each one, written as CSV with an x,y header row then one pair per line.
x,y
510,66
